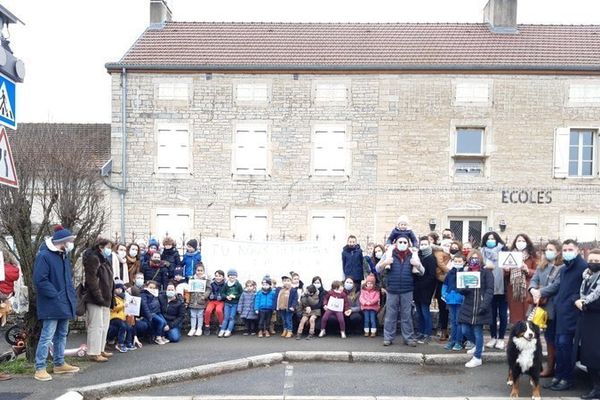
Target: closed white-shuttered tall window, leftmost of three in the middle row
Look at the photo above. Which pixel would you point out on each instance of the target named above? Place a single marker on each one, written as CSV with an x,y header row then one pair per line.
x,y
173,153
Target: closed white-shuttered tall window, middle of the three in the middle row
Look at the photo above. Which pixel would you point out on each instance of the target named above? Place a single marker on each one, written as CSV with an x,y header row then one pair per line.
x,y
250,150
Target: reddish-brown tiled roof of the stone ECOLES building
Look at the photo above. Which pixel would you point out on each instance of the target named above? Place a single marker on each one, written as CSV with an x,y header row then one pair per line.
x,y
357,46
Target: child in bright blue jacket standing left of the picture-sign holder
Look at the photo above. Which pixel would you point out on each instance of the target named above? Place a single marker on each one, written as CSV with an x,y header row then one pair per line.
x,y
454,299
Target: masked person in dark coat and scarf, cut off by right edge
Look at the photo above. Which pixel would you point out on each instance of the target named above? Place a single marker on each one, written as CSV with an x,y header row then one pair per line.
x,y
589,322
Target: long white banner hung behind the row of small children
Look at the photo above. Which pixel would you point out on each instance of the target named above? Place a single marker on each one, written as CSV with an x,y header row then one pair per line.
x,y
253,260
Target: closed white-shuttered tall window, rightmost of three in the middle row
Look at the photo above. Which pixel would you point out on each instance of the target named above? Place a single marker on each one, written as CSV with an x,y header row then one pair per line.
x,y
329,150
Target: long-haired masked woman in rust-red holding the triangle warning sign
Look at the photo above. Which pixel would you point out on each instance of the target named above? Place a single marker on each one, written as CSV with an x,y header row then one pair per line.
x,y
519,278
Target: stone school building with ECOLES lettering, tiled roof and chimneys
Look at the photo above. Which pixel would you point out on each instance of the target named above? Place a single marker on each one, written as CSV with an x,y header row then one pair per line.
x,y
313,131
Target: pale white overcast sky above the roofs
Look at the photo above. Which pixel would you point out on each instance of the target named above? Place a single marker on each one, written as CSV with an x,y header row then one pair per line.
x,y
65,43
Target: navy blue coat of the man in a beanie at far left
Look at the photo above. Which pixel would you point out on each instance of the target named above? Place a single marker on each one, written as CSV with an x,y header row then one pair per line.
x,y
56,298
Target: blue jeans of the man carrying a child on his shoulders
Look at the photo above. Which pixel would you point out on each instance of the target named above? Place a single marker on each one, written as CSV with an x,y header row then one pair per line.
x,y
403,304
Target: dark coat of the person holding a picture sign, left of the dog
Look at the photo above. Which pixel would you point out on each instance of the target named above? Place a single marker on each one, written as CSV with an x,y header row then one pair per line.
x,y
477,306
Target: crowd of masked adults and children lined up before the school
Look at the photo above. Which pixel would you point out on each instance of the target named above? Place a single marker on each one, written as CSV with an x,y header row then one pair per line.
x,y
389,285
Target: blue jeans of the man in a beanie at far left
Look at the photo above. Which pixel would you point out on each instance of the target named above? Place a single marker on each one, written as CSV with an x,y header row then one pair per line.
x,y
54,332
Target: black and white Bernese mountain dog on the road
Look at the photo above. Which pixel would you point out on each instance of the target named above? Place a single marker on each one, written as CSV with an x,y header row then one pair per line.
x,y
524,355
